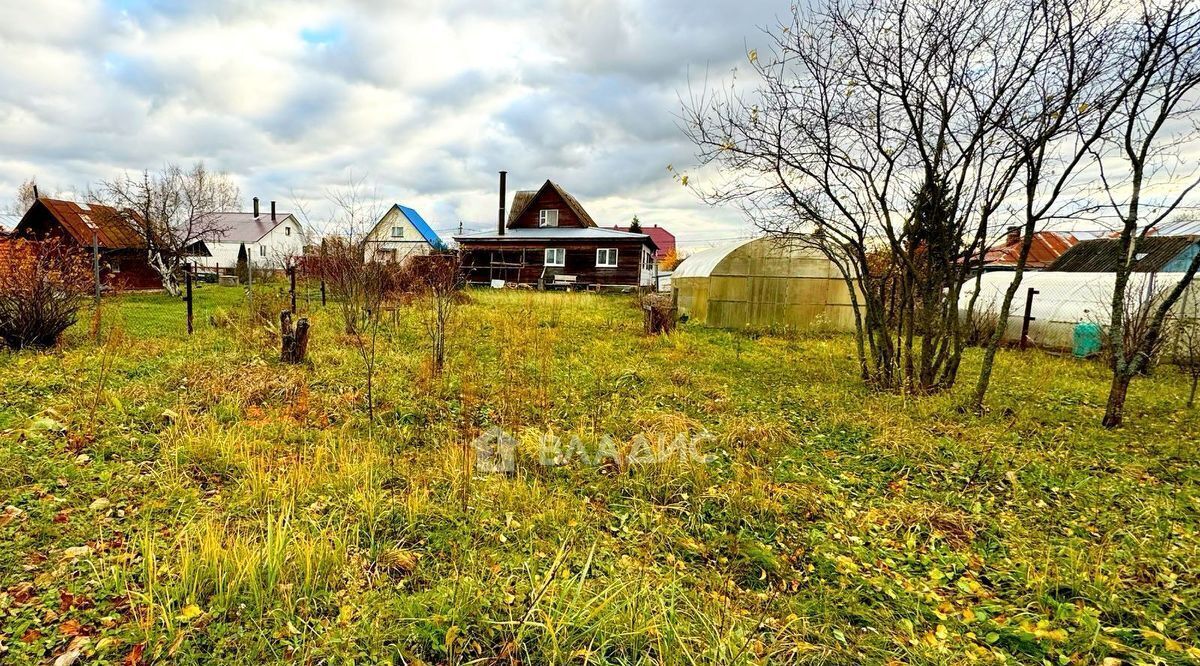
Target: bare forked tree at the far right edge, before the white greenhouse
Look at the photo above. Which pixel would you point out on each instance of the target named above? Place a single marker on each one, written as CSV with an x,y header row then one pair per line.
x,y
1144,172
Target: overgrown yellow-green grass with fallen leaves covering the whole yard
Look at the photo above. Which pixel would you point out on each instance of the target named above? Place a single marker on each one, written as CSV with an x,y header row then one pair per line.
x,y
238,512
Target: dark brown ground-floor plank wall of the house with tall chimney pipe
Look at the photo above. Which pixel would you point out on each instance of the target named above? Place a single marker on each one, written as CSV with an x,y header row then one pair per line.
x,y
485,263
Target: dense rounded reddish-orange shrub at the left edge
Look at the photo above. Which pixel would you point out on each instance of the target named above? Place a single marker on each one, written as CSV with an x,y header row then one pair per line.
x,y
43,286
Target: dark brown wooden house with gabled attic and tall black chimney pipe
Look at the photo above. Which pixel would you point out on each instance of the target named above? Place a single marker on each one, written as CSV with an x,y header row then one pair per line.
x,y
549,241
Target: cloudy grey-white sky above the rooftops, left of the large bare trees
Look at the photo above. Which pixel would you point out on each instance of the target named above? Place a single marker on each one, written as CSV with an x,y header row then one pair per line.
x,y
428,100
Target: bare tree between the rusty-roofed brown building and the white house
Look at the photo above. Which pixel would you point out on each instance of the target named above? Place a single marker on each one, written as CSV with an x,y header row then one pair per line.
x,y
172,212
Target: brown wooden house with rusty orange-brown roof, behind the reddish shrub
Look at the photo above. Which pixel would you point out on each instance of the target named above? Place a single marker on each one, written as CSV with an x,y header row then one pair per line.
x,y
123,251
